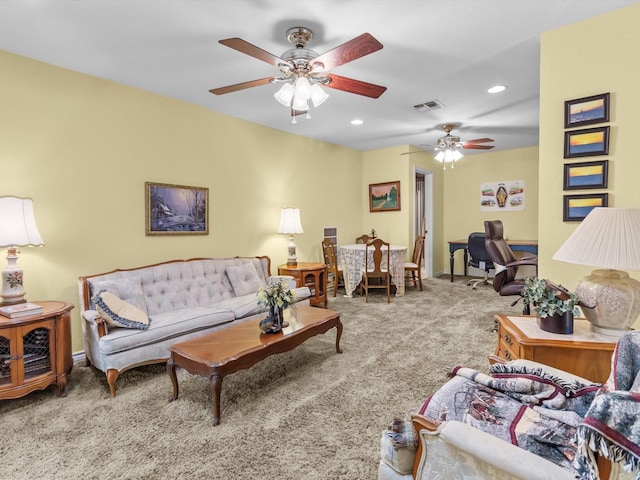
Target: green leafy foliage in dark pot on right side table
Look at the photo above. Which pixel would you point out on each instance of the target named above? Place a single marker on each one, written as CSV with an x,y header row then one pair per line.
x,y
547,298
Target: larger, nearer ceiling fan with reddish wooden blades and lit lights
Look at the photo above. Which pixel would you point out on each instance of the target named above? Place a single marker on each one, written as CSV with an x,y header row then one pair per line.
x,y
302,70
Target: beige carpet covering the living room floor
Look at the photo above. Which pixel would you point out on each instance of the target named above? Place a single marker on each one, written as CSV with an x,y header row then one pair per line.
x,y
305,414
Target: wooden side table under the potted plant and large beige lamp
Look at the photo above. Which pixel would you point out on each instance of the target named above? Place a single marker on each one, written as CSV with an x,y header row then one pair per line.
x,y
583,353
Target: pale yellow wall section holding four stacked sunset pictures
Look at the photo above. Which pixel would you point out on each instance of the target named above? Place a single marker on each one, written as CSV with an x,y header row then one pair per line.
x,y
587,58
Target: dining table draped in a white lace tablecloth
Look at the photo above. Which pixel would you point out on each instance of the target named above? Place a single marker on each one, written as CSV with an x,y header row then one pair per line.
x,y
351,257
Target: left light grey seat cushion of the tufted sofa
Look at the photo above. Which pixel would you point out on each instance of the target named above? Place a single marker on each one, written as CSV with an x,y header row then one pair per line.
x,y
164,326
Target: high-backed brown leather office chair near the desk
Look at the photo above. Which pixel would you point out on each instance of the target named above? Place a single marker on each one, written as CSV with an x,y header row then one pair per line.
x,y
504,261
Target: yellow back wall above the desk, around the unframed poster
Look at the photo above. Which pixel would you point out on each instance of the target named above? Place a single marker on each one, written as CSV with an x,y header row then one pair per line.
x,y
461,201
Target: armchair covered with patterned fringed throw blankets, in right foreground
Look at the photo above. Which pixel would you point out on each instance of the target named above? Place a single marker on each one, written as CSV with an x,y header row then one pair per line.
x,y
524,420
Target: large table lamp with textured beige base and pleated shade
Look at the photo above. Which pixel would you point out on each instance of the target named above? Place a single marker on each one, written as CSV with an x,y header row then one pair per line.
x,y
608,238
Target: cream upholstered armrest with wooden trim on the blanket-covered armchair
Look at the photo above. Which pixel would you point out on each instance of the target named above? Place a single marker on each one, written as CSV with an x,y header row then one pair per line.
x,y
459,449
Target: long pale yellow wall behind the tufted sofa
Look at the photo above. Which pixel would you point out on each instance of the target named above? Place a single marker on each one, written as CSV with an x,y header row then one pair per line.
x,y
83,148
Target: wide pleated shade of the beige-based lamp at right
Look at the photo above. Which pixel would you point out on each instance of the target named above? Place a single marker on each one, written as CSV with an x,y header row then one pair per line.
x,y
606,238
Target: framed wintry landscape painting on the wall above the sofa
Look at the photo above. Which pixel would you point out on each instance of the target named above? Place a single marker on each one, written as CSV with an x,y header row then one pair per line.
x,y
176,209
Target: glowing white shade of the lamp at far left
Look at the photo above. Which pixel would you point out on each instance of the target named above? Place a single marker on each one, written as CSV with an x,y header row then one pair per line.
x,y
17,223
